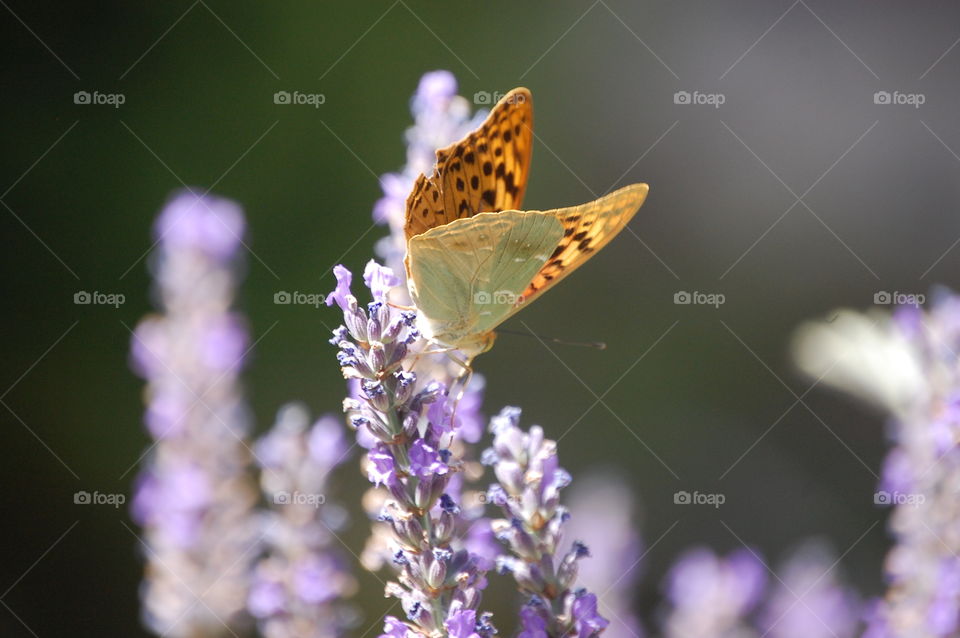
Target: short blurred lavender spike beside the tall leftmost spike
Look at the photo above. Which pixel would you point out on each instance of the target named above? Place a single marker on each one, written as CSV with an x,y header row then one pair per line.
x,y
299,586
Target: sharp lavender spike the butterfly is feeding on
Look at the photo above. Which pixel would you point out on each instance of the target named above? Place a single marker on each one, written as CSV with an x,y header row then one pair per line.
x,y
439,582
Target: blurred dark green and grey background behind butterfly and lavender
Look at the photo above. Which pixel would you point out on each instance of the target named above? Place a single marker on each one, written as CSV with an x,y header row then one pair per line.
x,y
82,183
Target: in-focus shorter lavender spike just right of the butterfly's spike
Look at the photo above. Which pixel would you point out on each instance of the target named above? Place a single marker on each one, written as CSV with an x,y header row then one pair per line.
x,y
528,490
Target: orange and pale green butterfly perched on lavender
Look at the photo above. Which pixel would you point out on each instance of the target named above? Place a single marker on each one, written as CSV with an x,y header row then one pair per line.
x,y
474,258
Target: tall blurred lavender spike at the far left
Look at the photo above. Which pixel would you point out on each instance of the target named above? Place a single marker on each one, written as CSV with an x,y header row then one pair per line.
x,y
194,495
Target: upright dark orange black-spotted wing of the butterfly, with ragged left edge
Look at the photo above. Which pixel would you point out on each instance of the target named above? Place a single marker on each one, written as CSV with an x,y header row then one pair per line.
x,y
484,172
